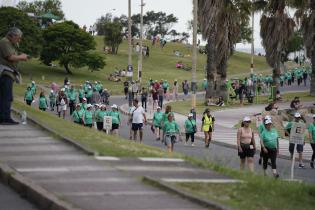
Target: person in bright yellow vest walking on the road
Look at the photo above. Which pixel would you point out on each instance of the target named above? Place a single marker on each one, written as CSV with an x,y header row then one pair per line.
x,y
207,126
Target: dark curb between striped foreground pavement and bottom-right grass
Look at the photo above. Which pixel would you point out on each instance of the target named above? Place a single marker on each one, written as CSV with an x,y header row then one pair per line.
x,y
202,202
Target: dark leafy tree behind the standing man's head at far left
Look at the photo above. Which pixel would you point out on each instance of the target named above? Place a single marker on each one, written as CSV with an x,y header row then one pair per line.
x,y
32,39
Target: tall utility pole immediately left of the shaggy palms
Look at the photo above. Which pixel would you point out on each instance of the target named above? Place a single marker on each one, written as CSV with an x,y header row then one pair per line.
x,y
194,56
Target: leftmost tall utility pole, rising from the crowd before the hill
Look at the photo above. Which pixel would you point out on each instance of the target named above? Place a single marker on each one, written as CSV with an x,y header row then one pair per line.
x,y
129,67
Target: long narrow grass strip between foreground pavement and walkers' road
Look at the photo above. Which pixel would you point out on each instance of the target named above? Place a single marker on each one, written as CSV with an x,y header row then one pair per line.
x,y
97,141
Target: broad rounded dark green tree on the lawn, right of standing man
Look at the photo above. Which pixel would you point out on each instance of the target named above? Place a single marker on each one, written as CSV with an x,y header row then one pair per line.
x,y
67,43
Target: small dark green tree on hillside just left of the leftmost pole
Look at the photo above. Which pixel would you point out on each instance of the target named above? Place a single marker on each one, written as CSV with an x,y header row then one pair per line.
x,y
113,36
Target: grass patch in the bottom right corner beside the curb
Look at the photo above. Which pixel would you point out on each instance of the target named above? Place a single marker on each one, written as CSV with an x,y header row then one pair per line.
x,y
256,194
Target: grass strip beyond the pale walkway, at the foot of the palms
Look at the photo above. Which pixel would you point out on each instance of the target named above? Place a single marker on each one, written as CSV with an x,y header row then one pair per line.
x,y
183,107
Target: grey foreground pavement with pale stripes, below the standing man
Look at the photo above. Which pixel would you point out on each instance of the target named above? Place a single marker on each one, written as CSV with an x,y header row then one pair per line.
x,y
96,183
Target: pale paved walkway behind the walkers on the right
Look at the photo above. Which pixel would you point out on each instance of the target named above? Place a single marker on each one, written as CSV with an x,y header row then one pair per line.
x,y
225,120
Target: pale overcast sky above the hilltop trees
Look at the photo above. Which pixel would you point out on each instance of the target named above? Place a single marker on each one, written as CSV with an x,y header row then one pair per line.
x,y
86,12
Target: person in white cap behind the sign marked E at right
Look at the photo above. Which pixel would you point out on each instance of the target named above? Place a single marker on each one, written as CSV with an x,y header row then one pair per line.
x,y
299,147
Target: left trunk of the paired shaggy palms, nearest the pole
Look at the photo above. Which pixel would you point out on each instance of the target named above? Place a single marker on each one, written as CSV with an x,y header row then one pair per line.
x,y
211,66
